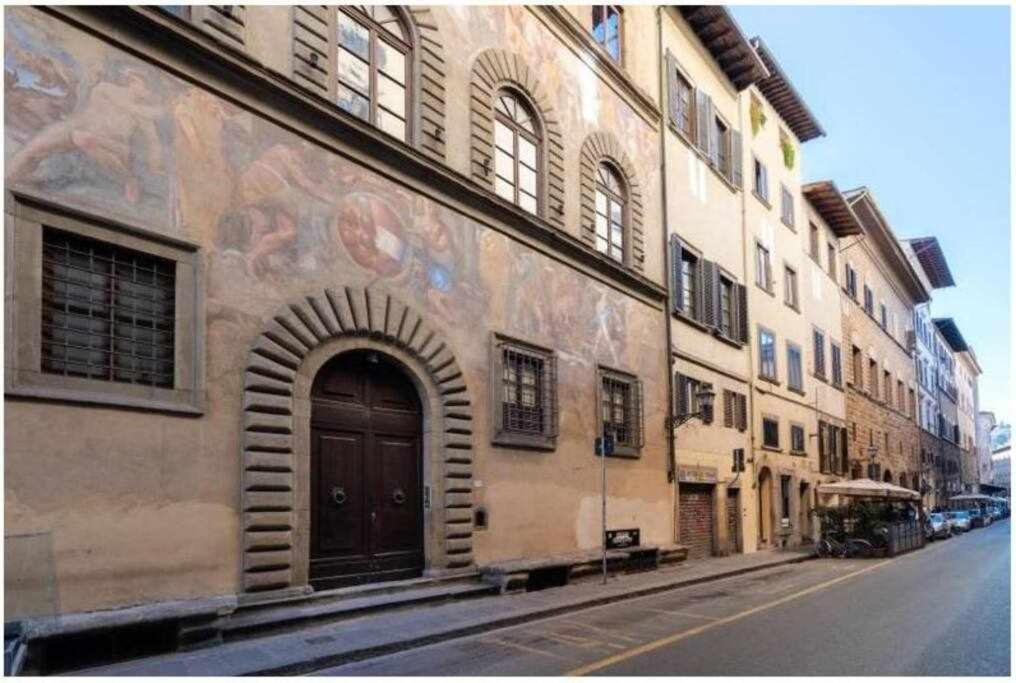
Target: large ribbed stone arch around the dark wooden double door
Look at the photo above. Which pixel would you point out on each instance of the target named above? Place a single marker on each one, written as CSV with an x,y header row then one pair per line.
x,y
278,372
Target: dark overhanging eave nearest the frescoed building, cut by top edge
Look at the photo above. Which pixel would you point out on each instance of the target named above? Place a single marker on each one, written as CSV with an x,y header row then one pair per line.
x,y
722,36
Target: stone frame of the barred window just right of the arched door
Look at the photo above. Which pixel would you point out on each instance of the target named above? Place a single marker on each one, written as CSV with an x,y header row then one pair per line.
x,y
502,437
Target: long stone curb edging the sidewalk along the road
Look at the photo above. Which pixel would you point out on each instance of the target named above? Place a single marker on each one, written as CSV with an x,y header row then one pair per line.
x,y
339,659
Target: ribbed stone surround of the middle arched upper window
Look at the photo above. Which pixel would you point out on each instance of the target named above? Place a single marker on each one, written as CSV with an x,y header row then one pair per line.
x,y
493,70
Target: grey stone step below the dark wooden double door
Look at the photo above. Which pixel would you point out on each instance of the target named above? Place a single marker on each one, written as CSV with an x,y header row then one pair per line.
x,y
346,603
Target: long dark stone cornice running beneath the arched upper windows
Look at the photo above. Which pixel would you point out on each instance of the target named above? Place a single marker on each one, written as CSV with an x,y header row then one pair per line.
x,y
194,56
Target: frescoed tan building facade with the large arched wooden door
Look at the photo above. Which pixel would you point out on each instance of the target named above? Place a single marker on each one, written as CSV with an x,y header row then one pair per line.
x,y
373,303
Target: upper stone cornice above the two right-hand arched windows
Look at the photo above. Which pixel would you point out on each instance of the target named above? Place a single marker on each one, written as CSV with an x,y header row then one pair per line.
x,y
582,41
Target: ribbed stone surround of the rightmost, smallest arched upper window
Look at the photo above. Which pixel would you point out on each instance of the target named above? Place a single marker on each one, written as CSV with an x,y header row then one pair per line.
x,y
605,147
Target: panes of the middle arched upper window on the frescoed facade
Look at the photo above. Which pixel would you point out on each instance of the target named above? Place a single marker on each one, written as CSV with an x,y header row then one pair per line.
x,y
518,152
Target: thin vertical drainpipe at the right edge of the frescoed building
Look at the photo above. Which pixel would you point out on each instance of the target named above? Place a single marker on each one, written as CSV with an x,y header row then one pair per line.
x,y
671,449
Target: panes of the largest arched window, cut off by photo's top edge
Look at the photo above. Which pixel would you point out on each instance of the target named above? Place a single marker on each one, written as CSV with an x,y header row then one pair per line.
x,y
374,60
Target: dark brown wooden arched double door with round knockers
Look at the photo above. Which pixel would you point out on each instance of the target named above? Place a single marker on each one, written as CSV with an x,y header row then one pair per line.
x,y
366,473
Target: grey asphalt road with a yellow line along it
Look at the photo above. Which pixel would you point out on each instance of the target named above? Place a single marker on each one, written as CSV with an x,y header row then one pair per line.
x,y
944,610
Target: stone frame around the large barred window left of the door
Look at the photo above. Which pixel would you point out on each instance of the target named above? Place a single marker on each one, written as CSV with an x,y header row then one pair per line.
x,y
25,220
